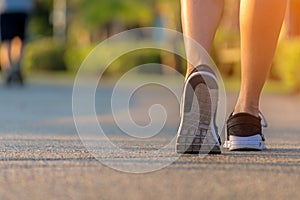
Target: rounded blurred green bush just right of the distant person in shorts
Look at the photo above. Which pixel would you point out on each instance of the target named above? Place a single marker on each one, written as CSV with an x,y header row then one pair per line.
x,y
44,54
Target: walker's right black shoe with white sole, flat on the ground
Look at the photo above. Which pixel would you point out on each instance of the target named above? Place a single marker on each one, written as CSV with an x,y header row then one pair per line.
x,y
245,133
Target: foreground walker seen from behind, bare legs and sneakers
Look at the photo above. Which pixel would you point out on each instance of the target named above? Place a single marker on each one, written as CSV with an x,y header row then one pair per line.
x,y
260,25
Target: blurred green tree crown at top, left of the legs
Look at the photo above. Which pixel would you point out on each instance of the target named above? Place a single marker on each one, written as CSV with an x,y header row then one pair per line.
x,y
101,17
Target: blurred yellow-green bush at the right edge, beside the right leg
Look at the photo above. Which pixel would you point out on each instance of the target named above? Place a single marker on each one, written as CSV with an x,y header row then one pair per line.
x,y
287,63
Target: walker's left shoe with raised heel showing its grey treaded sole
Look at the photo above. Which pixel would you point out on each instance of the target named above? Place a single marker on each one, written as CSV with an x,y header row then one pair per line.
x,y
197,131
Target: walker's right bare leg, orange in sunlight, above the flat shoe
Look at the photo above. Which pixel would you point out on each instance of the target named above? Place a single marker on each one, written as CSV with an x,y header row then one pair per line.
x,y
260,22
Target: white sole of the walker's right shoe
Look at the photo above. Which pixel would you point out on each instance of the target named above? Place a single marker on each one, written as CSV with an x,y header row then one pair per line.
x,y
251,143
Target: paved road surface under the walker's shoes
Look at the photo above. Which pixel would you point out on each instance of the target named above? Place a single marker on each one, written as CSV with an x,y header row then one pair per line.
x,y
42,157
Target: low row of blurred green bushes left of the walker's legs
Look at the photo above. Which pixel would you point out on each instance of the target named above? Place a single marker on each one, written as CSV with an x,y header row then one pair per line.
x,y
46,55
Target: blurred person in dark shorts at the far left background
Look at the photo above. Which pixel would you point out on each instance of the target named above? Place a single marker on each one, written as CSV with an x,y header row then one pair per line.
x,y
13,21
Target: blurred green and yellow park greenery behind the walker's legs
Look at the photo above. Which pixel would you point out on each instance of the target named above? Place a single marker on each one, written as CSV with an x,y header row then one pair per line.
x,y
62,33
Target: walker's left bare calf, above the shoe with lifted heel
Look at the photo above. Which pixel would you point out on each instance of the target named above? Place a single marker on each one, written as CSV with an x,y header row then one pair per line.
x,y
200,19
